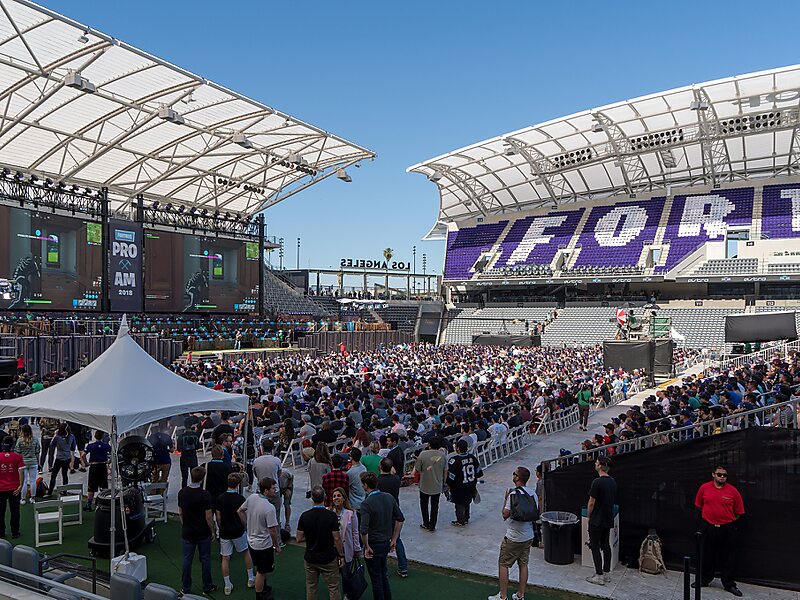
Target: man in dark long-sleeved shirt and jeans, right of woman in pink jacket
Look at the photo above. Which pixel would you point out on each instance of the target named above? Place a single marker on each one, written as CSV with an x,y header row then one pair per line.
x,y
381,522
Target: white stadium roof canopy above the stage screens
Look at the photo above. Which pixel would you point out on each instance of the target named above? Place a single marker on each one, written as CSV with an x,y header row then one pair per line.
x,y
83,107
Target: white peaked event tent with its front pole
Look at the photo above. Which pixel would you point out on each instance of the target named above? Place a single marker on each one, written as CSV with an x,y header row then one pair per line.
x,y
124,388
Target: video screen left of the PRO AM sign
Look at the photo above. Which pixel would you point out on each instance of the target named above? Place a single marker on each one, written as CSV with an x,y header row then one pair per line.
x,y
49,261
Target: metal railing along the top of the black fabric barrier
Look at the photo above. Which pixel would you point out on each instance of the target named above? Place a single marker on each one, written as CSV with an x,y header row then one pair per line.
x,y
774,415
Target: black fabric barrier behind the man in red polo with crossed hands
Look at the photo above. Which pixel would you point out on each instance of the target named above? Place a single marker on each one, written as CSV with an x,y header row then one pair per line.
x,y
657,487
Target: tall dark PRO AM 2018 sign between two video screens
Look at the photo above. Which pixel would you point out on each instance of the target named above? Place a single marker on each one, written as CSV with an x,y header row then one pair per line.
x,y
125,266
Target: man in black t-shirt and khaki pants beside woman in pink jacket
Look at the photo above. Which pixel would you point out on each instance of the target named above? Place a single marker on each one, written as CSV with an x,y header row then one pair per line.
x,y
324,555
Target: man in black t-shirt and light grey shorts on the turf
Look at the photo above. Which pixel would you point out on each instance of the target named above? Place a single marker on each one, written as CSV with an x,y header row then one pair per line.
x,y
232,535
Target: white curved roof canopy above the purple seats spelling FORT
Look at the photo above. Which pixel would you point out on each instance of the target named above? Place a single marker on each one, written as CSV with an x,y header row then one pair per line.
x,y
704,134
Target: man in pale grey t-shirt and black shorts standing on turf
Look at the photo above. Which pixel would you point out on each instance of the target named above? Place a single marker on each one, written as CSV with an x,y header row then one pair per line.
x,y
258,514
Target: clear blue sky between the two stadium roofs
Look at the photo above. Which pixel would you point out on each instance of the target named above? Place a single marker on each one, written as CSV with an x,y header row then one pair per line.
x,y
412,80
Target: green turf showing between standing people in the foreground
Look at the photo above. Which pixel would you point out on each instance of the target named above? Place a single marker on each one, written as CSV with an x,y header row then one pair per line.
x,y
164,557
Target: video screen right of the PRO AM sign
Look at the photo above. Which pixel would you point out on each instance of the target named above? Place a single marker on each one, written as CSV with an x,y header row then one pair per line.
x,y
193,273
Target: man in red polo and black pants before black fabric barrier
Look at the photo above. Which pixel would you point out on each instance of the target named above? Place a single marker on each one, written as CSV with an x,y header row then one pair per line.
x,y
720,507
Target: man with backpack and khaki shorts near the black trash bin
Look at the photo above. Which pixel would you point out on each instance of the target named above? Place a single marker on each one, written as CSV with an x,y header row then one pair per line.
x,y
520,511
